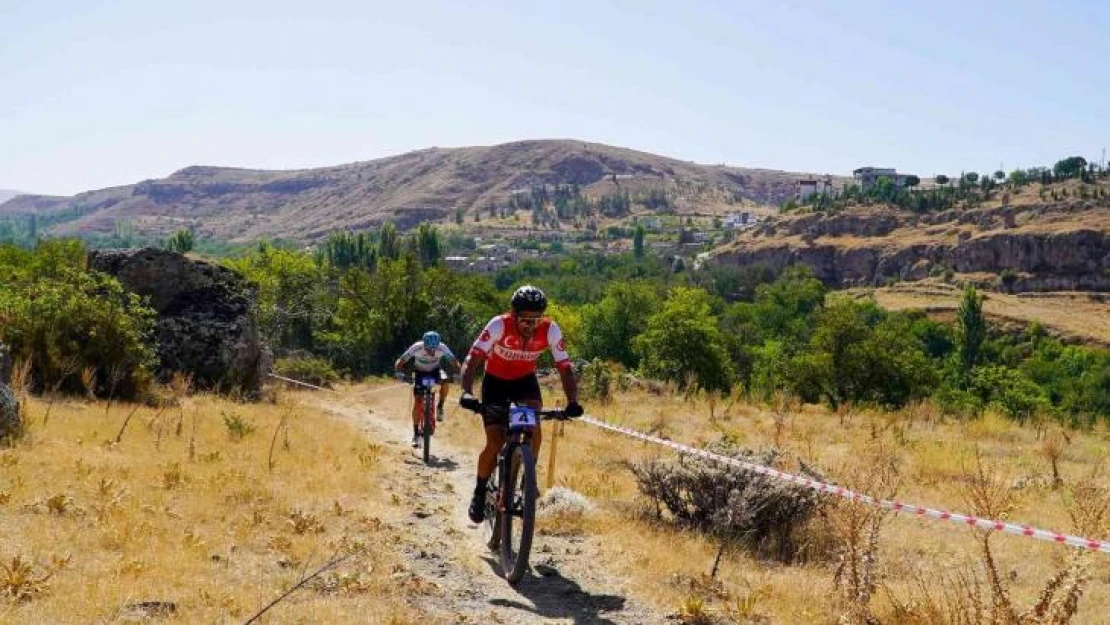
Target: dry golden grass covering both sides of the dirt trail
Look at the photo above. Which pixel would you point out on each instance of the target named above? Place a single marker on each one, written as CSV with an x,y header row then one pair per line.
x,y
220,523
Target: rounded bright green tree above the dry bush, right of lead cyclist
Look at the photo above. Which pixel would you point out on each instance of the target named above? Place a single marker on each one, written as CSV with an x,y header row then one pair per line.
x,y
683,344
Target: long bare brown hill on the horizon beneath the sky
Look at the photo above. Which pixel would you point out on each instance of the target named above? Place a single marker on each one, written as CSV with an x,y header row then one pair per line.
x,y
428,185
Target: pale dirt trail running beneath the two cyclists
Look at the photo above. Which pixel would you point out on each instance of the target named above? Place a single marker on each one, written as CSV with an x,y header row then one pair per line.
x,y
447,553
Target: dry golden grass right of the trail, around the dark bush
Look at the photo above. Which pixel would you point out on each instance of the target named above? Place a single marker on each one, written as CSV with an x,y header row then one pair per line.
x,y
936,461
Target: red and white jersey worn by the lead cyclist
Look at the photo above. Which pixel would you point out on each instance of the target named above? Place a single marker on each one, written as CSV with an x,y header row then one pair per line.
x,y
509,357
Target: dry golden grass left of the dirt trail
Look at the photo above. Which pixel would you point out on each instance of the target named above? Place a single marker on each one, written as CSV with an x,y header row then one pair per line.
x,y
211,519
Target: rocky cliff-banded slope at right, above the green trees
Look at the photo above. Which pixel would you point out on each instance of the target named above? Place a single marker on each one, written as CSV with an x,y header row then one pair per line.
x,y
1041,247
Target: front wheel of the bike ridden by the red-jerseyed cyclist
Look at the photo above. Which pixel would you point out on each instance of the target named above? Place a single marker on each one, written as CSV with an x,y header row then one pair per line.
x,y
520,517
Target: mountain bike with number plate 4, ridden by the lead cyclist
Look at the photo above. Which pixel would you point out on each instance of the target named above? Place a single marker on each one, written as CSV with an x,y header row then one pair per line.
x,y
511,495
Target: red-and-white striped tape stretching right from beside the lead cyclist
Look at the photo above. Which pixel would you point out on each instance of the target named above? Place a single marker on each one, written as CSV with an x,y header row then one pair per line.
x,y
897,507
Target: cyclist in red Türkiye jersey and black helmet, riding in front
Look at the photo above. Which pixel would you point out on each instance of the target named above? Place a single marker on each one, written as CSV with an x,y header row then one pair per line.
x,y
510,346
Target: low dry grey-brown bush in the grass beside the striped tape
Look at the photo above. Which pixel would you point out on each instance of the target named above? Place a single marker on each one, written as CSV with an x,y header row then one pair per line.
x,y
738,506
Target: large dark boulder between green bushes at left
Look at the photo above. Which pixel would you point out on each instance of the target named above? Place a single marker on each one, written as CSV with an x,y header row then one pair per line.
x,y
205,326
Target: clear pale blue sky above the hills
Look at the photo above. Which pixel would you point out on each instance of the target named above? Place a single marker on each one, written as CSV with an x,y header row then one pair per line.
x,y
97,94
